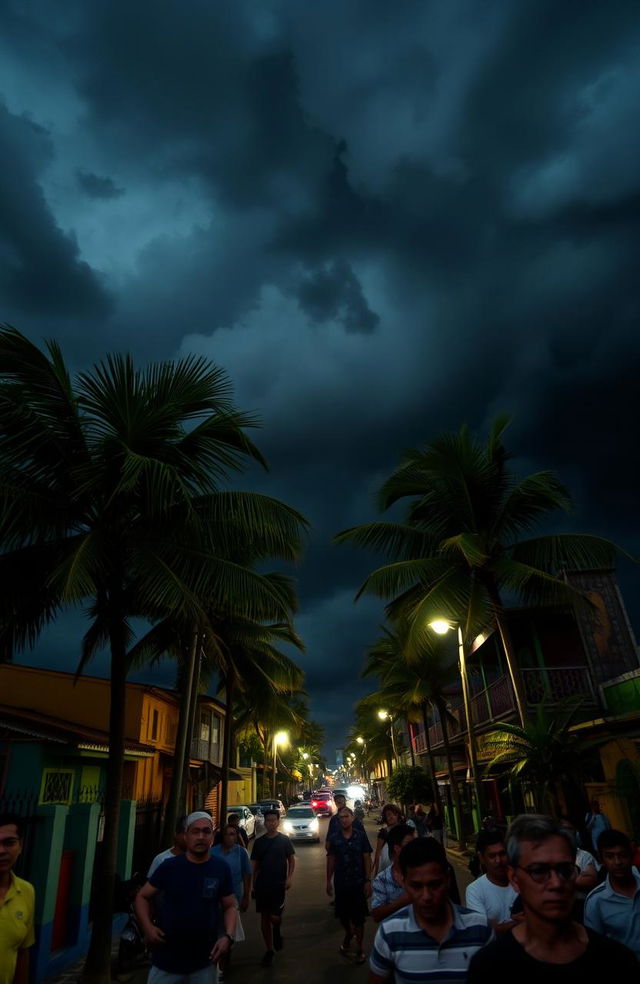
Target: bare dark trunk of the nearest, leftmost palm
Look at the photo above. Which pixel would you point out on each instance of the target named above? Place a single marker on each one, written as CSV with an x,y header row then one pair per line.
x,y
97,966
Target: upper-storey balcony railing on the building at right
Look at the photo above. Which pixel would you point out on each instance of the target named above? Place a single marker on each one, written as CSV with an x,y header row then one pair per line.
x,y
542,685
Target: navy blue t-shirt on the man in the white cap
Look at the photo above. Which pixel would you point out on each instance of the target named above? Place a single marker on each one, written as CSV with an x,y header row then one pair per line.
x,y
188,911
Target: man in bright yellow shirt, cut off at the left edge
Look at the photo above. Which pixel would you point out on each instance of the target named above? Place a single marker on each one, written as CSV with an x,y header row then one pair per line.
x,y
17,900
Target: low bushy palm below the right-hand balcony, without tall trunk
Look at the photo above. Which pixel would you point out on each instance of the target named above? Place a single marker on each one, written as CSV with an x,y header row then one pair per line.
x,y
542,754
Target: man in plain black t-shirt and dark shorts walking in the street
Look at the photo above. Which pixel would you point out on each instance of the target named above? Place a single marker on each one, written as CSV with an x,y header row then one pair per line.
x,y
274,862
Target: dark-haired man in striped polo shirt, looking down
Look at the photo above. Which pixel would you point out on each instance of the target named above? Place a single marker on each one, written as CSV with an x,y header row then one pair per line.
x,y
431,938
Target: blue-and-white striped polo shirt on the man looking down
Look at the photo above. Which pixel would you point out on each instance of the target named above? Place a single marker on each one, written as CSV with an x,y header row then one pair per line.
x,y
402,950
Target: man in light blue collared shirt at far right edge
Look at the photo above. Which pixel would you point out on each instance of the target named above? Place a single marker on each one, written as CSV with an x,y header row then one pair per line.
x,y
613,908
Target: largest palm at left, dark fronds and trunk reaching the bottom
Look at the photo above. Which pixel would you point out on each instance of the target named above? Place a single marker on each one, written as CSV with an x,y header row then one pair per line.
x,y
111,496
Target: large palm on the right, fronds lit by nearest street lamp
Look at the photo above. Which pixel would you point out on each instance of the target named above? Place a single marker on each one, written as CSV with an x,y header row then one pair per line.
x,y
460,548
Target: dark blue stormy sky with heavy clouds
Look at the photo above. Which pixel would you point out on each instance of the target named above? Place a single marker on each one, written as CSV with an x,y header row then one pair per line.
x,y
382,219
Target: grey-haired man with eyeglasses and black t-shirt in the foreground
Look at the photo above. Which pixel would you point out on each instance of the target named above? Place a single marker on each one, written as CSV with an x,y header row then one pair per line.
x,y
548,946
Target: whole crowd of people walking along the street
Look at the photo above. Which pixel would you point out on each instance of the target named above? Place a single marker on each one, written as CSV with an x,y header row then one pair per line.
x,y
540,904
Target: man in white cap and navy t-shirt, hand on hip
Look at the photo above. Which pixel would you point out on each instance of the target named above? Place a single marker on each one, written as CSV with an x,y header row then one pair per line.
x,y
186,942
